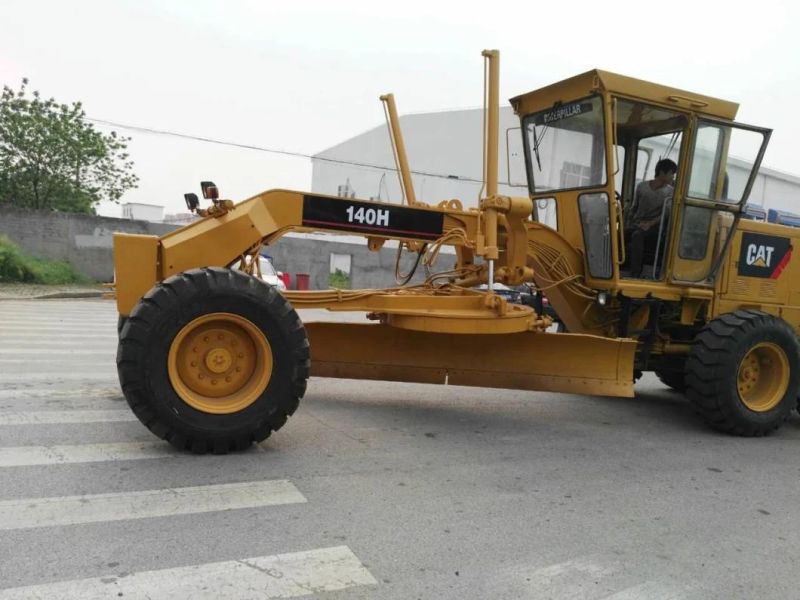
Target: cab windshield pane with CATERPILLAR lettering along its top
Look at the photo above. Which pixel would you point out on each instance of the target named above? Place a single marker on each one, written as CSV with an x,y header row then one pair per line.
x,y
565,147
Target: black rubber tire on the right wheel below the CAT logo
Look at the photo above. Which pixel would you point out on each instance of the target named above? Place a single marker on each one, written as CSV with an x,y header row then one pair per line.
x,y
714,364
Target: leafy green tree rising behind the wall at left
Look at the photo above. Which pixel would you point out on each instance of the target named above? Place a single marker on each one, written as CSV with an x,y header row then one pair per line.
x,y
52,158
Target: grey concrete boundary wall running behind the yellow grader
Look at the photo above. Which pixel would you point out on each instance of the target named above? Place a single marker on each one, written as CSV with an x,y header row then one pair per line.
x,y
86,242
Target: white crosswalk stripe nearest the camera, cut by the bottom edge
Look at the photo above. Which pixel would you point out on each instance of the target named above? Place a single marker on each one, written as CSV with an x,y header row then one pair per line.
x,y
265,577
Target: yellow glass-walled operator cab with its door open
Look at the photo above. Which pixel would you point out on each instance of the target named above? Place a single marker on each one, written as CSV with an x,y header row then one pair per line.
x,y
591,140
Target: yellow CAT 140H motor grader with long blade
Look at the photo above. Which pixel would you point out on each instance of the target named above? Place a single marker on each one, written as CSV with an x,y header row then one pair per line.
x,y
211,358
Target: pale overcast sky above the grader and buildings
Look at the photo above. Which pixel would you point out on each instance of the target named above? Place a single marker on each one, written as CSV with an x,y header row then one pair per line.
x,y
306,75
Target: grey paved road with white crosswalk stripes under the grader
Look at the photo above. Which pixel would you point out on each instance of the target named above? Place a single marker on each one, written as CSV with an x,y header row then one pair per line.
x,y
378,490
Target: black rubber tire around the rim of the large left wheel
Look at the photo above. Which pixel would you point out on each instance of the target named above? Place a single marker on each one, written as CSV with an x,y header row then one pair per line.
x,y
144,347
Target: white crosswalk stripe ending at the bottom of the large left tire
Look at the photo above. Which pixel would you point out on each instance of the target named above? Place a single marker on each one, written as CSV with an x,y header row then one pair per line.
x,y
27,456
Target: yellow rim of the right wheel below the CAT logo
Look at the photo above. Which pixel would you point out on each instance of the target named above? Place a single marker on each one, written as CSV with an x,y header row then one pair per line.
x,y
763,377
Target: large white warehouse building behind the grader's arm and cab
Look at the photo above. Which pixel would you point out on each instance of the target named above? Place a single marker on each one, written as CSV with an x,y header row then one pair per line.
x,y
445,153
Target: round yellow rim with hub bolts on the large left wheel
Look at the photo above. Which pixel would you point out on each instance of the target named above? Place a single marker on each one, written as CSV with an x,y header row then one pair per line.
x,y
220,363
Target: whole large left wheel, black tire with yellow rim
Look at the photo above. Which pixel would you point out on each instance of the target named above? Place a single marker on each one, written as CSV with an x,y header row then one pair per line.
x,y
213,360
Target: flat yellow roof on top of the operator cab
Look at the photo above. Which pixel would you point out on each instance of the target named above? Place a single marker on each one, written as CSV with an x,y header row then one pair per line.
x,y
595,81
